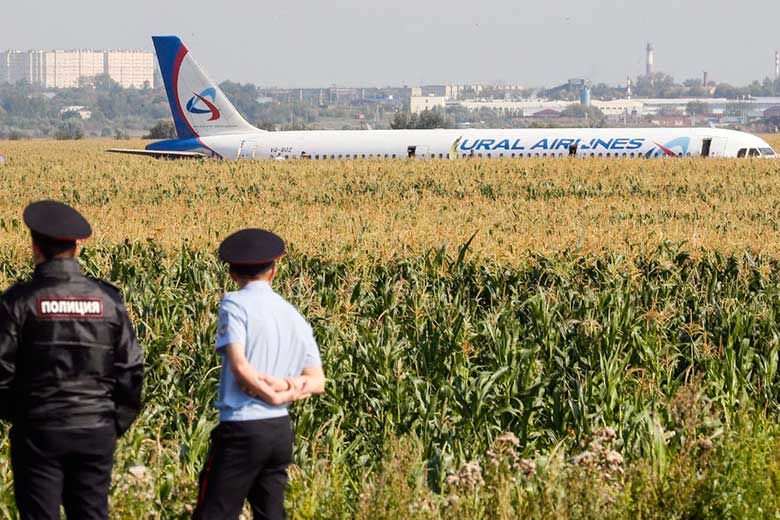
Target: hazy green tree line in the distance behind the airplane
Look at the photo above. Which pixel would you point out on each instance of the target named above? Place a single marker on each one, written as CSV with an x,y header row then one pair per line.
x,y
29,111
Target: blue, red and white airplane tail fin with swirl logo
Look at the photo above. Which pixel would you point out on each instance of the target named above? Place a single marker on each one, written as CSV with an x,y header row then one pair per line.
x,y
198,105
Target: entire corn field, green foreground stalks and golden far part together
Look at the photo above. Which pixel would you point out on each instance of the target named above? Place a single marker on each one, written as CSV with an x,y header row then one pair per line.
x,y
505,339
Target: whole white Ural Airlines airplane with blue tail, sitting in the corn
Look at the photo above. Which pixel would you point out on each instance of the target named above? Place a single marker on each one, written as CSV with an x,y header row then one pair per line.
x,y
208,125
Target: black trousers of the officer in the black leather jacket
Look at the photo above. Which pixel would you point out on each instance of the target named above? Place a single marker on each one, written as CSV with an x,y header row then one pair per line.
x,y
70,467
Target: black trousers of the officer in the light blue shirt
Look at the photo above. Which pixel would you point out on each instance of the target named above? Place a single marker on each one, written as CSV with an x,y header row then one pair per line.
x,y
247,460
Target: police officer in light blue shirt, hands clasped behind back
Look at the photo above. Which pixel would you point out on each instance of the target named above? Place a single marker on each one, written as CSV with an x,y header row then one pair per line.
x,y
269,359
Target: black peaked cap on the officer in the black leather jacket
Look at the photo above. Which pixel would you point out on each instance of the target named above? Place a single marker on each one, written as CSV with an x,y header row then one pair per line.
x,y
56,220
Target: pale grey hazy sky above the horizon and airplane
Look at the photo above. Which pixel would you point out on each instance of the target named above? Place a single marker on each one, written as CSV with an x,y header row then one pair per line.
x,y
319,43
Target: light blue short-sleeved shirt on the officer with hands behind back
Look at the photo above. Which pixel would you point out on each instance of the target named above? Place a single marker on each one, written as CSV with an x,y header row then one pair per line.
x,y
277,341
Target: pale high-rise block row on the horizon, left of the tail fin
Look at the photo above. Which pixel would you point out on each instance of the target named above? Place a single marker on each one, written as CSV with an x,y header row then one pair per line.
x,y
66,69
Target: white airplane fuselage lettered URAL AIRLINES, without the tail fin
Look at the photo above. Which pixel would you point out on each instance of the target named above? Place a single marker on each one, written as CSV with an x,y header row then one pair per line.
x,y
451,144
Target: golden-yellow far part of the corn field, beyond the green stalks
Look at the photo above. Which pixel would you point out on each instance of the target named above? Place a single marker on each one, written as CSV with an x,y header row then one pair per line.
x,y
394,209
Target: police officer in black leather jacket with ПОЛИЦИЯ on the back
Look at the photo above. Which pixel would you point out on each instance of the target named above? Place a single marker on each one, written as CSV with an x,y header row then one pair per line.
x,y
70,373
